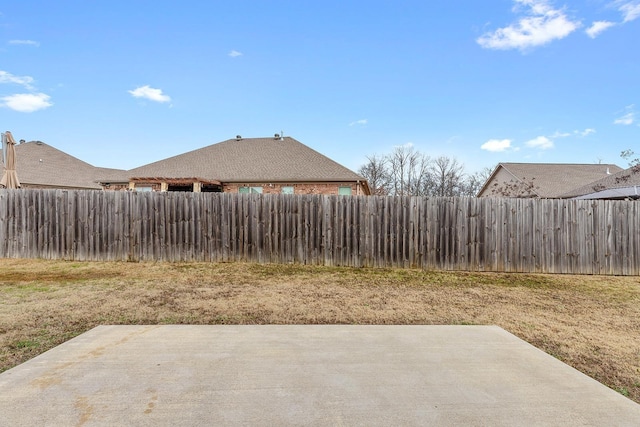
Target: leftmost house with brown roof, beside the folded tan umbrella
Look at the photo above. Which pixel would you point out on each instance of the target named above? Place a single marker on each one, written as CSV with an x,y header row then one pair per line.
x,y
41,166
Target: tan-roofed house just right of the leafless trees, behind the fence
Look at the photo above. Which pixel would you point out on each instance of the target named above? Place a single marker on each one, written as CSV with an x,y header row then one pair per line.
x,y
543,180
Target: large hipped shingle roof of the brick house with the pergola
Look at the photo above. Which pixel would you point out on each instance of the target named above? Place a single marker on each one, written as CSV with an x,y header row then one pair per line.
x,y
250,160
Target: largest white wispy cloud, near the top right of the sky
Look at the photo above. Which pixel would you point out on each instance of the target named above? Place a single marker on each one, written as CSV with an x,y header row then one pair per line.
x,y
541,25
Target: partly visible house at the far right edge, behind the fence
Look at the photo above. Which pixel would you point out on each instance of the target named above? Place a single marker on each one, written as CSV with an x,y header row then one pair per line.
x,y
624,184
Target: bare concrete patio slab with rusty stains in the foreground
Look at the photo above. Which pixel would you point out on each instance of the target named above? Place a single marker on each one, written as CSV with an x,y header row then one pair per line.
x,y
304,375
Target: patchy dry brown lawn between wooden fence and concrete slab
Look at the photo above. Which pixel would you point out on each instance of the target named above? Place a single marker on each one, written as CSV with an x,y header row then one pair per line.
x,y
592,323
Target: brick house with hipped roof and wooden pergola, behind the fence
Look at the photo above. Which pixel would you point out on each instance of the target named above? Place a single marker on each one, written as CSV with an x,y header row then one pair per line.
x,y
244,165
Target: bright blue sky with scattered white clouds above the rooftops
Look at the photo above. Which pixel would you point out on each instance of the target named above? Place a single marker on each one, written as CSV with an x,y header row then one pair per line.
x,y
121,84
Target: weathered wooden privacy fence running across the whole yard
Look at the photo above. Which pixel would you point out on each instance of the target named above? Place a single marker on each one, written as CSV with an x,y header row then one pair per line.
x,y
488,234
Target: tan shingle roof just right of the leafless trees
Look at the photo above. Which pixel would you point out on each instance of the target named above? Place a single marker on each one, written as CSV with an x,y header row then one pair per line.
x,y
553,180
